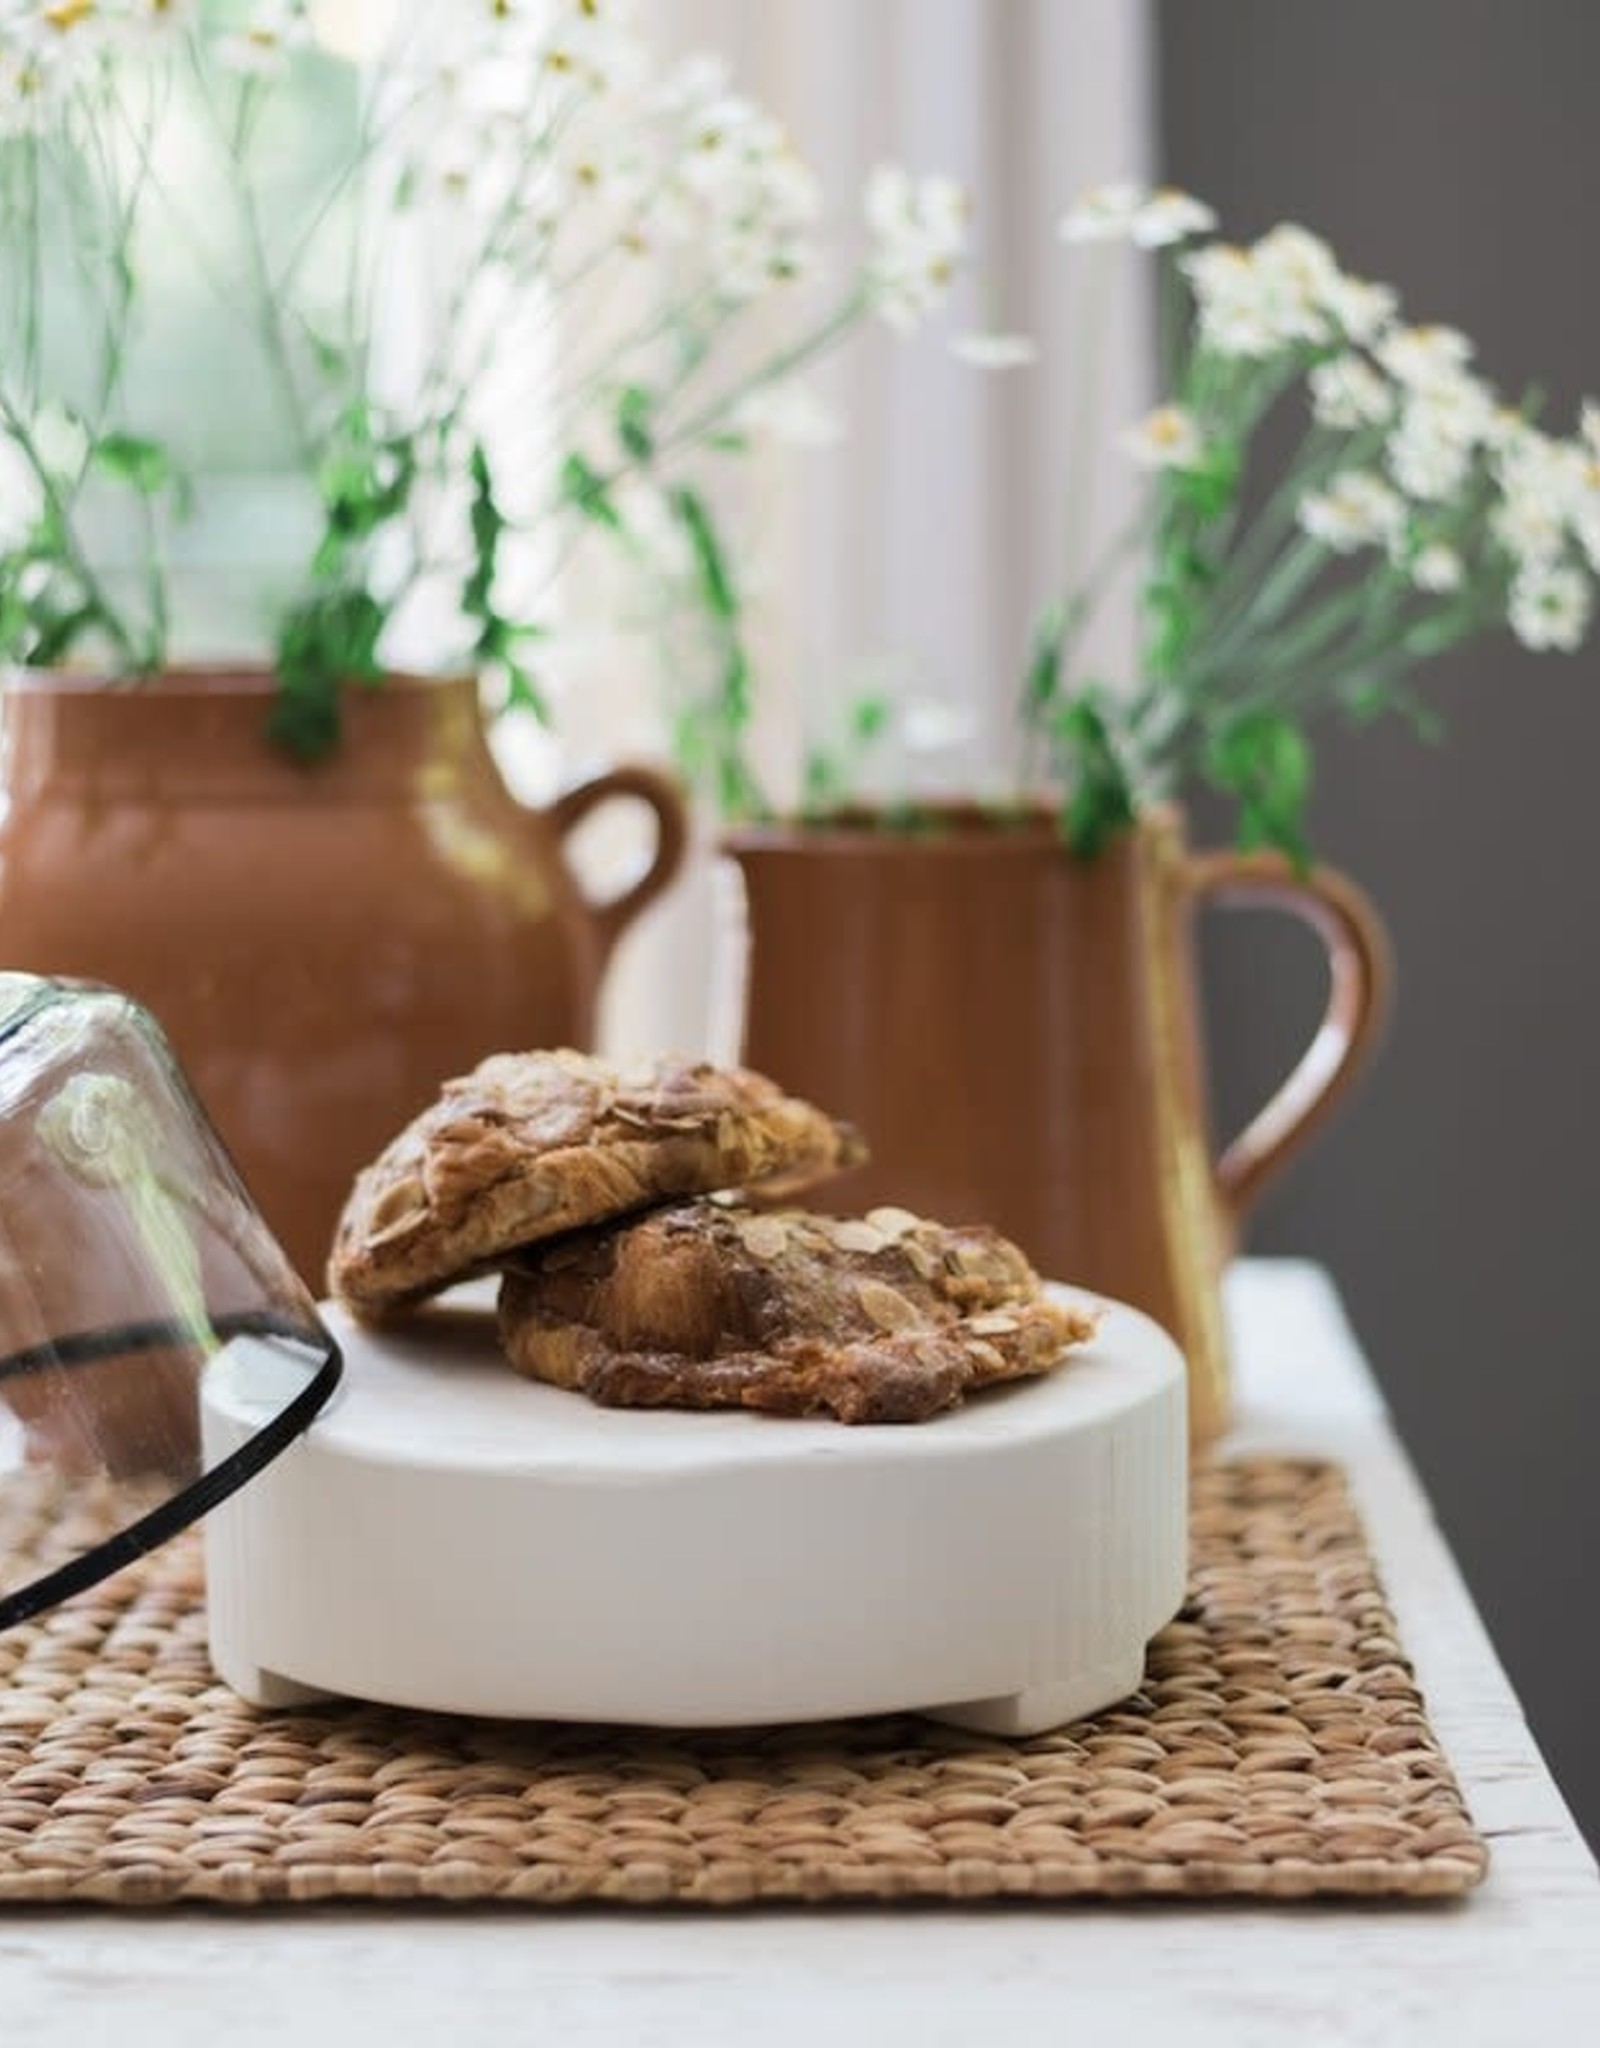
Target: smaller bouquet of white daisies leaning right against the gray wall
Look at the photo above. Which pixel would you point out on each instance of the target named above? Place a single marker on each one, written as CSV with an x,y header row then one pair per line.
x,y
1410,511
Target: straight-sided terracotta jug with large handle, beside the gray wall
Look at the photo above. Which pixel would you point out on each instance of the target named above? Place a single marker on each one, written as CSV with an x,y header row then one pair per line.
x,y
1015,1031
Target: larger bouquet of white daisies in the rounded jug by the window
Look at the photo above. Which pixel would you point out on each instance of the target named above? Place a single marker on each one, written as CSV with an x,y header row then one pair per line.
x,y
640,237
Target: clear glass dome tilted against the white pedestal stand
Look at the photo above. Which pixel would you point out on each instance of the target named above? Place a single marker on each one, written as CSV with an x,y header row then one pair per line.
x,y
132,1267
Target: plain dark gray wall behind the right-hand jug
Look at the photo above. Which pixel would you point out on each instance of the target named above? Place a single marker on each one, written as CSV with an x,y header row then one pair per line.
x,y
1449,146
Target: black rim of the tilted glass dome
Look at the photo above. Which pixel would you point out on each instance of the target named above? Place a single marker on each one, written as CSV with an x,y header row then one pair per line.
x,y
151,1531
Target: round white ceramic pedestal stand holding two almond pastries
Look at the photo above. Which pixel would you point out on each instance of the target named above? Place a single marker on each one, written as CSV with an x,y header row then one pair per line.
x,y
454,1537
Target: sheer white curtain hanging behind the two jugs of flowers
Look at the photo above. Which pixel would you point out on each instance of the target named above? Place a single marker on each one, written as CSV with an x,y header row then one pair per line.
x,y
919,550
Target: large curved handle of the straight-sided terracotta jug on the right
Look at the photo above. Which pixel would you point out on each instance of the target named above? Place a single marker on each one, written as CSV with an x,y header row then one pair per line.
x,y
1359,978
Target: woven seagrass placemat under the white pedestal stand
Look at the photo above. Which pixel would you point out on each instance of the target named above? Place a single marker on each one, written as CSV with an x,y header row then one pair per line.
x,y
1279,1750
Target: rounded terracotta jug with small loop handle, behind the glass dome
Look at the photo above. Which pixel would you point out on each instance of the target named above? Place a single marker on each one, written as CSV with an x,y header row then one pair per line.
x,y
321,945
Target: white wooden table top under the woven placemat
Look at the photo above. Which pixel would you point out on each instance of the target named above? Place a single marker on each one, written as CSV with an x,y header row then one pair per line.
x,y
1517,1963
